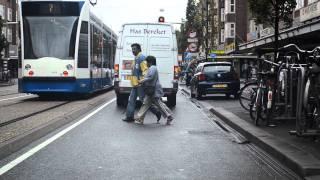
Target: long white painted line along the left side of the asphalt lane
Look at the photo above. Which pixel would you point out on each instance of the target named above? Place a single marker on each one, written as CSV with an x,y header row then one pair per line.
x,y
31,152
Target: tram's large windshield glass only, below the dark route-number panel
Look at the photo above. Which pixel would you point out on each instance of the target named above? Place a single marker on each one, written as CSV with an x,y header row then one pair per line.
x,y
49,37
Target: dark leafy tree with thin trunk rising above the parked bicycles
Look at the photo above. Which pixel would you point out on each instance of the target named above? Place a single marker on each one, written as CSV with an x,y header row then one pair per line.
x,y
272,12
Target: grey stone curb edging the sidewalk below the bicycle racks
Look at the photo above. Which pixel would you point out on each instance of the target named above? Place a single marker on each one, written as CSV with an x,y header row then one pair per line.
x,y
304,164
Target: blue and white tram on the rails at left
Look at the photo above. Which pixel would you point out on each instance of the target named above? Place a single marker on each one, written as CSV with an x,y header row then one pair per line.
x,y
65,48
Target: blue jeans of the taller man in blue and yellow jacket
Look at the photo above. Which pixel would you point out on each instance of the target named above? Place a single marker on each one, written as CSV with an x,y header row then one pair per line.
x,y
135,92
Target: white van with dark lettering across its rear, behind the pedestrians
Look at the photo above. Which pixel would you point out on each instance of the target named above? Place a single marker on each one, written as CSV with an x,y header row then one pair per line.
x,y
156,39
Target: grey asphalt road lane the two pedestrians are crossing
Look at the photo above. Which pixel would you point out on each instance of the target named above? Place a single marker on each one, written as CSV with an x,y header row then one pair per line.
x,y
104,147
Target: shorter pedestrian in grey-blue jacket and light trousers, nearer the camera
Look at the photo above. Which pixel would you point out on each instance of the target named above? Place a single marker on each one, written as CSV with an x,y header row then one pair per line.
x,y
153,93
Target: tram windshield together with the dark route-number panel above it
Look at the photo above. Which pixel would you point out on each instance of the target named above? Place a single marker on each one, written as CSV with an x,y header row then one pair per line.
x,y
49,28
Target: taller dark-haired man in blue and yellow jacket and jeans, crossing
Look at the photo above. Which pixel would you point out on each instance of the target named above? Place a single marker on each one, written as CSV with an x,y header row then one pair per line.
x,y
139,69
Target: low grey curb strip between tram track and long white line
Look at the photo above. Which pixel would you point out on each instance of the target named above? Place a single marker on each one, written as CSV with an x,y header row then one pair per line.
x,y
17,143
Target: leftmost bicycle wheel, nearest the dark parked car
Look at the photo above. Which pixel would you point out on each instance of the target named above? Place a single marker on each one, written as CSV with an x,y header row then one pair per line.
x,y
246,95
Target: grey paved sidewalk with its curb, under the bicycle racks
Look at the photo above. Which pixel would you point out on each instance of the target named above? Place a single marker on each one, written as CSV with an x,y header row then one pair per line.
x,y
302,155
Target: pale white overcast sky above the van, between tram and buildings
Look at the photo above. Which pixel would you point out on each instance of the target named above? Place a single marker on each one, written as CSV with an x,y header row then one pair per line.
x,y
114,13
